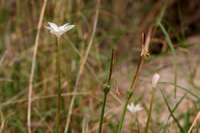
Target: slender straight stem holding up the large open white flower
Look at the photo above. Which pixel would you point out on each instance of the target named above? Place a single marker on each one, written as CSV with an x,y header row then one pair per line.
x,y
59,84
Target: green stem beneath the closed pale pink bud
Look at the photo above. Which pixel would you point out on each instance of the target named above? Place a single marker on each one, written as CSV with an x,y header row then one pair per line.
x,y
150,109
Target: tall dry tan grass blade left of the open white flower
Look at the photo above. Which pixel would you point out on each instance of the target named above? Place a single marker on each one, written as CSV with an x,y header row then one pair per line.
x,y
33,66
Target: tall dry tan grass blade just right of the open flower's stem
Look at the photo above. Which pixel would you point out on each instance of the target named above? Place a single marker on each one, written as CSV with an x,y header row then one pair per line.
x,y
82,67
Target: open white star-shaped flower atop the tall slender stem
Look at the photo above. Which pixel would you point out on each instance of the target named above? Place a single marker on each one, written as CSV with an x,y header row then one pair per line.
x,y
58,30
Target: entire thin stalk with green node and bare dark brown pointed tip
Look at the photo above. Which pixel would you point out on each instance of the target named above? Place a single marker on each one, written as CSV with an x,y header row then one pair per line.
x,y
106,90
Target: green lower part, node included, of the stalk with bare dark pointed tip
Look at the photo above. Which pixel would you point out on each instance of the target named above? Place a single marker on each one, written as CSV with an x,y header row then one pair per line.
x,y
106,90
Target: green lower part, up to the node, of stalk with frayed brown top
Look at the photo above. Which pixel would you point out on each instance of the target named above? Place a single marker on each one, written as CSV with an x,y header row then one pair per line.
x,y
130,93
